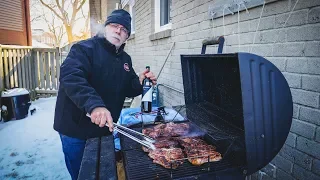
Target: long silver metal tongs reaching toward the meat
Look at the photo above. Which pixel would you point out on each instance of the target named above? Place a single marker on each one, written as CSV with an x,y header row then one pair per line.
x,y
145,140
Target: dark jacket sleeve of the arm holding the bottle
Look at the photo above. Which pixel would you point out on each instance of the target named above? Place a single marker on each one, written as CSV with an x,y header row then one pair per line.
x,y
135,88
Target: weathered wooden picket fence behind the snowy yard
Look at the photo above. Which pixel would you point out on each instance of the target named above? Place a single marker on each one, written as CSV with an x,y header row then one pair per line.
x,y
36,69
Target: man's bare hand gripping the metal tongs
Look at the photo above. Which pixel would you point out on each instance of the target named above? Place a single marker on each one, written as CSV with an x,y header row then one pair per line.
x,y
100,116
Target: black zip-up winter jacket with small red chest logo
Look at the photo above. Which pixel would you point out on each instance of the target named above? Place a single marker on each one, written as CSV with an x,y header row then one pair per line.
x,y
94,74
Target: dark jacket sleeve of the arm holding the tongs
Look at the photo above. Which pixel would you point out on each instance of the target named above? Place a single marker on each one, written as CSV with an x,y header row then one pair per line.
x,y
74,74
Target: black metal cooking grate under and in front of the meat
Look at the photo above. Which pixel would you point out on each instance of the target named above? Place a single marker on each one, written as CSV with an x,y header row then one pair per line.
x,y
138,165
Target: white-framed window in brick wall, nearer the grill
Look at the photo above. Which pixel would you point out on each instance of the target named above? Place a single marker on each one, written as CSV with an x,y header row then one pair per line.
x,y
162,15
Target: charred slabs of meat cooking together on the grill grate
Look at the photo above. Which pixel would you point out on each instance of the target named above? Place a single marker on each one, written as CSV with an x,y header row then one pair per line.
x,y
170,137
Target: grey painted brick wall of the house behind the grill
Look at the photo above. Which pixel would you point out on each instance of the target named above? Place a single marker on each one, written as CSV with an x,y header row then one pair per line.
x,y
294,49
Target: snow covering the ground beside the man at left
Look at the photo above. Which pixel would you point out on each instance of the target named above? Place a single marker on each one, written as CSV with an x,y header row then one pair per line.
x,y
30,148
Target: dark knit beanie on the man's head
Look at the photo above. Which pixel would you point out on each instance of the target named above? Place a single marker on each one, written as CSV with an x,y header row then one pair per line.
x,y
120,16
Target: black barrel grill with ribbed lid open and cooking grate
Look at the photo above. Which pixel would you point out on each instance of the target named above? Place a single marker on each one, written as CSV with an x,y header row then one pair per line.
x,y
243,105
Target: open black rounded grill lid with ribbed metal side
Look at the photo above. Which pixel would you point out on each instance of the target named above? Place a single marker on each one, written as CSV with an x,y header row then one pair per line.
x,y
251,94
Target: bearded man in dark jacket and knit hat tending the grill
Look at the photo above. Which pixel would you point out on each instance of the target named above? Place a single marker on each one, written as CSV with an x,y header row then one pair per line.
x,y
95,78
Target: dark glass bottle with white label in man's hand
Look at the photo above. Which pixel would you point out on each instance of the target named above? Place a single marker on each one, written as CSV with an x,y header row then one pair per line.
x,y
146,100
